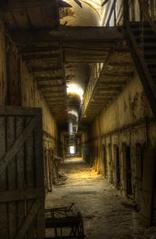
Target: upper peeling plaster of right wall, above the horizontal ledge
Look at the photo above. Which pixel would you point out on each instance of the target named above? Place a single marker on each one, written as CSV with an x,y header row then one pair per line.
x,y
129,107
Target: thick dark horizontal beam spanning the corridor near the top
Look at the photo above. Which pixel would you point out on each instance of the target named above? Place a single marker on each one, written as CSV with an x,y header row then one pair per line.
x,y
87,34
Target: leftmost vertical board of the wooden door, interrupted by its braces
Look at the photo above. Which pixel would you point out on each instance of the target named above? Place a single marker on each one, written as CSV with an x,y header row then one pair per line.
x,y
3,182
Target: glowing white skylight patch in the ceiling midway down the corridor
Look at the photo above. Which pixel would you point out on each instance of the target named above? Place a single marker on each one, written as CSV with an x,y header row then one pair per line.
x,y
75,89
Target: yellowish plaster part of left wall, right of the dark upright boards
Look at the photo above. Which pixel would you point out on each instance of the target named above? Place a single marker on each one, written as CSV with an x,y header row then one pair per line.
x,y
32,97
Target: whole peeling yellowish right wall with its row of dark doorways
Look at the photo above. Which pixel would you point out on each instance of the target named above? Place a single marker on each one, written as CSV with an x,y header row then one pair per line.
x,y
127,123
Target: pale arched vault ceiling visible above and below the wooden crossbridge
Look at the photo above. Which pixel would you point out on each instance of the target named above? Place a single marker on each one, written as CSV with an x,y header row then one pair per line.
x,y
80,13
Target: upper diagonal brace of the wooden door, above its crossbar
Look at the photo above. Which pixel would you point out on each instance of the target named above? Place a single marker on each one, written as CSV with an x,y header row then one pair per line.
x,y
16,146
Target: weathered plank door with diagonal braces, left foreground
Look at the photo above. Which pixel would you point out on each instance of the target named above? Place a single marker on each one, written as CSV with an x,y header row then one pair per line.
x,y
21,174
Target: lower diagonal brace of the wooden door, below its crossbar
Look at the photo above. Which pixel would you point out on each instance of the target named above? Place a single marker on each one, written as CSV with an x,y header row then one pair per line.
x,y
28,220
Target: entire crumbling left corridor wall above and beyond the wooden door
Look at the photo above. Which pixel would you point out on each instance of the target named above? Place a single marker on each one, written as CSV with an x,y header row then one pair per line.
x,y
19,88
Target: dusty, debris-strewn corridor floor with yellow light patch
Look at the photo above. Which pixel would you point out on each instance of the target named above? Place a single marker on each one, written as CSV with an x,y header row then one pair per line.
x,y
106,214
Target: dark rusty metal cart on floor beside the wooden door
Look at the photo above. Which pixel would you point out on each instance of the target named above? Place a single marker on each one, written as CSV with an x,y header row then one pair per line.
x,y
64,222
